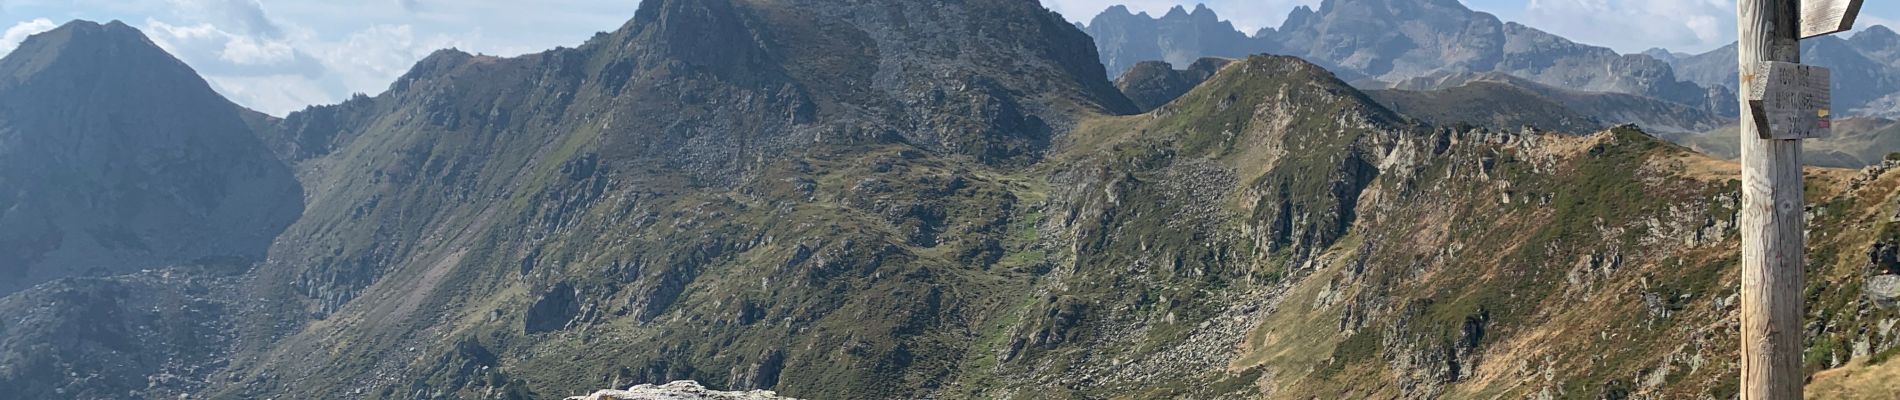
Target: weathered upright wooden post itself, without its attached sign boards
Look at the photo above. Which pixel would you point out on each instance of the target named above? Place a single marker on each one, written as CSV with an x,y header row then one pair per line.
x,y
1774,245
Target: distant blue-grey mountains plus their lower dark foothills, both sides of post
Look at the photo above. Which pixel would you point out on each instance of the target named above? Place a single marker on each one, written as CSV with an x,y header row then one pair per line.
x,y
1426,52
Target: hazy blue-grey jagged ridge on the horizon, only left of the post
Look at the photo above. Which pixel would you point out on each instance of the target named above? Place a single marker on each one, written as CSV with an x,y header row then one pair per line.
x,y
1382,43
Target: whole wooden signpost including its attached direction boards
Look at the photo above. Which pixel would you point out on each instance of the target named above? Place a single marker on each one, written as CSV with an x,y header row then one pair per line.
x,y
1783,103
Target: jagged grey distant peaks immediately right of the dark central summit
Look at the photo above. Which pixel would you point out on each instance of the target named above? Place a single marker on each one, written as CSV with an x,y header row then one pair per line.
x,y
1181,37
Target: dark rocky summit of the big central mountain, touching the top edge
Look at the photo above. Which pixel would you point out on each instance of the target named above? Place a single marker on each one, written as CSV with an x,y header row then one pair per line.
x,y
896,65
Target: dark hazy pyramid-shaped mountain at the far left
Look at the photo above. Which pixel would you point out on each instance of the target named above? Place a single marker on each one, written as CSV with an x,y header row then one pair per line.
x,y
115,156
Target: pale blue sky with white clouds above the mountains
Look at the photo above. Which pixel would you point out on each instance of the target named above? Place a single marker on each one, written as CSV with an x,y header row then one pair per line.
x,y
282,56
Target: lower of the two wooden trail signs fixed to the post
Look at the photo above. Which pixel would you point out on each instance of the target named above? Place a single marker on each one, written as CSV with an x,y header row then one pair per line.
x,y
1791,101
